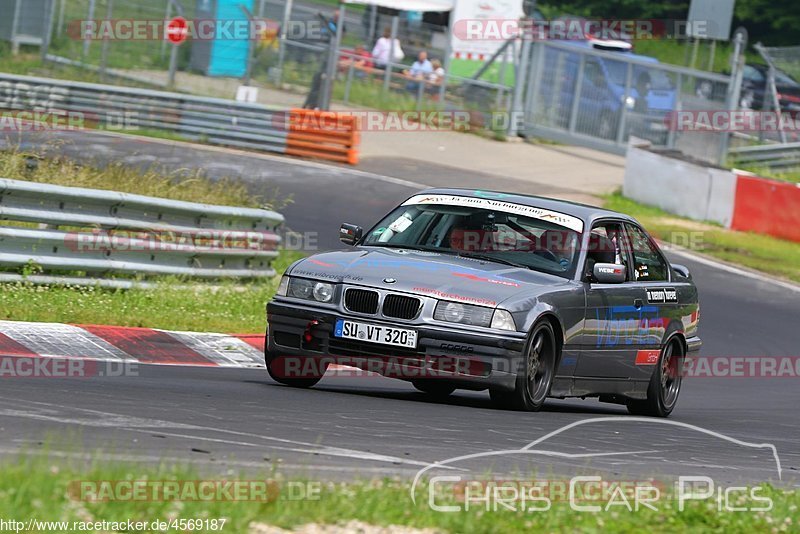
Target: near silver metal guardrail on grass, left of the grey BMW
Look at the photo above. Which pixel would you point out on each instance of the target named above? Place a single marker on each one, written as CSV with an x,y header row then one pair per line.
x,y
101,232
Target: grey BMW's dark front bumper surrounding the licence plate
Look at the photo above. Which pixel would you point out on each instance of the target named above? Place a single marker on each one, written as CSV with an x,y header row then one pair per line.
x,y
451,354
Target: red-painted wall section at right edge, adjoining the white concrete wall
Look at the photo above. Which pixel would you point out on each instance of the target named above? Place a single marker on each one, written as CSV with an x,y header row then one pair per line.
x,y
767,207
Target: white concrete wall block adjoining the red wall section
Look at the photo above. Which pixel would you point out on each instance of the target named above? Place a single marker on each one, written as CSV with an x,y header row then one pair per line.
x,y
678,186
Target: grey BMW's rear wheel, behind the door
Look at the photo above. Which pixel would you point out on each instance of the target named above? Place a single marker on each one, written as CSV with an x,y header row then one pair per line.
x,y
665,384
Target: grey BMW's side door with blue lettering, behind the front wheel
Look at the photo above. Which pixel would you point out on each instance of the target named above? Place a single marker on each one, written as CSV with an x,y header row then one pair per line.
x,y
614,313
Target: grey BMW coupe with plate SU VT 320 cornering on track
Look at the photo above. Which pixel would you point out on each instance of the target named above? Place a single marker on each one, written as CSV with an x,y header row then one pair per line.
x,y
524,296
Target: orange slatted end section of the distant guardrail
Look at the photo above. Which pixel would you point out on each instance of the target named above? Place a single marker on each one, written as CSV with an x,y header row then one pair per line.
x,y
324,135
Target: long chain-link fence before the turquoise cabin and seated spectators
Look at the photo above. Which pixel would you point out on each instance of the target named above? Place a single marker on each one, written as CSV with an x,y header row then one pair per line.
x,y
284,55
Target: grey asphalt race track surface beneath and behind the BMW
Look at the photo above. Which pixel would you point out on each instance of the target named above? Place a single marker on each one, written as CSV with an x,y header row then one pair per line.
x,y
349,427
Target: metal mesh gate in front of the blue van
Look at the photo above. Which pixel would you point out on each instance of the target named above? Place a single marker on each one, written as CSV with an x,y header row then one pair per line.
x,y
599,98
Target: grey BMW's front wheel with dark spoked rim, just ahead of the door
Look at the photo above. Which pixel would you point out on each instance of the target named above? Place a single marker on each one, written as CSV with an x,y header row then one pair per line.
x,y
534,374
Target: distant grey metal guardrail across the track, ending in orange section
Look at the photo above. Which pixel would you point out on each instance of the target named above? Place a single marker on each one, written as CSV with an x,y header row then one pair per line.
x,y
214,120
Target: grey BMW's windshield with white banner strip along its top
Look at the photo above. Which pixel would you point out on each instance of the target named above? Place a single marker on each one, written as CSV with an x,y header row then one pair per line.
x,y
479,231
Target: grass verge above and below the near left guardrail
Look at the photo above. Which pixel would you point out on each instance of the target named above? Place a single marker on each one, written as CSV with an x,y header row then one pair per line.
x,y
178,304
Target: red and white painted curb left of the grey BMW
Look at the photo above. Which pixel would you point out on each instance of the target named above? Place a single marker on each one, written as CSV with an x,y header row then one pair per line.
x,y
120,344
